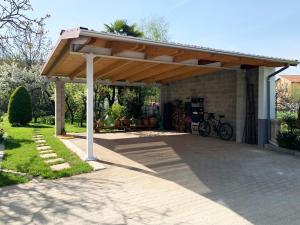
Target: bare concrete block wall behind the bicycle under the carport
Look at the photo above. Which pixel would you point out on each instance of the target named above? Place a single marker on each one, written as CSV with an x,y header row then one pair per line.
x,y
218,89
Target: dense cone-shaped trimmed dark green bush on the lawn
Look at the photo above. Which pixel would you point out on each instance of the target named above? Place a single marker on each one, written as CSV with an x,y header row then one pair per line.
x,y
19,107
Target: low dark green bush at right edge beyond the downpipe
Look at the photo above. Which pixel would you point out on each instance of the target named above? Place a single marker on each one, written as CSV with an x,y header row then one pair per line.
x,y
289,140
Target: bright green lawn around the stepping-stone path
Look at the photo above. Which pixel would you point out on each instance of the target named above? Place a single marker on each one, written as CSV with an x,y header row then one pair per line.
x,y
21,154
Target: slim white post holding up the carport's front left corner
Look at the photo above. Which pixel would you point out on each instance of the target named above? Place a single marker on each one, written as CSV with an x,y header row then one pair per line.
x,y
90,107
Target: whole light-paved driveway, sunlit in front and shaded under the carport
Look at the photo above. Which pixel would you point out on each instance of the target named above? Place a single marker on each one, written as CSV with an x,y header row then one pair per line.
x,y
164,178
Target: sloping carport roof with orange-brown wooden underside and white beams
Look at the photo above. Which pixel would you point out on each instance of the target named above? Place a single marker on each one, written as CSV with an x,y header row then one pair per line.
x,y
123,58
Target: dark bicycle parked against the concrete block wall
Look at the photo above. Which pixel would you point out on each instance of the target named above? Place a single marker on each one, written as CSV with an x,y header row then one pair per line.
x,y
223,130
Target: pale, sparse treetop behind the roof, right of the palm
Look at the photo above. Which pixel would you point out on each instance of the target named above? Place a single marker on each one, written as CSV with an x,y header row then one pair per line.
x,y
156,28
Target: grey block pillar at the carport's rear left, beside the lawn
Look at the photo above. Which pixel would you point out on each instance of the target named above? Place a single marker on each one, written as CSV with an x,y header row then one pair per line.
x,y
59,107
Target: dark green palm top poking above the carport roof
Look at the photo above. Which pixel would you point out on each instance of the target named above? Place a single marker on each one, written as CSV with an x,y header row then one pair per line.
x,y
123,28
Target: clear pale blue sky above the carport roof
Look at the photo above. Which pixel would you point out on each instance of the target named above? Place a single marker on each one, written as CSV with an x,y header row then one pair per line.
x,y
251,26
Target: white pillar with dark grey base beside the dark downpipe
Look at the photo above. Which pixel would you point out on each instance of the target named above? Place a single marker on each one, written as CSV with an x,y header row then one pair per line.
x,y
263,73
